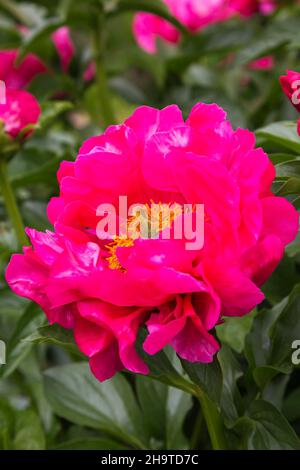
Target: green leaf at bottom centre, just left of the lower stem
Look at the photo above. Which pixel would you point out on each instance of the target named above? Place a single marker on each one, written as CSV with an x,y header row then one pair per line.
x,y
164,410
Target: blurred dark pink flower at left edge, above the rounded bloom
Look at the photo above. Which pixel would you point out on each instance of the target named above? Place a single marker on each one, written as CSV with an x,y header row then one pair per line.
x,y
19,76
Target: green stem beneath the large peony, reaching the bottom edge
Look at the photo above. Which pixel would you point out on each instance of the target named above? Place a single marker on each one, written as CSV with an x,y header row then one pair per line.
x,y
213,420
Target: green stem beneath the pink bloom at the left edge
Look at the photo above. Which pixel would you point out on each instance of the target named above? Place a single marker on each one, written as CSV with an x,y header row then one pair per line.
x,y
11,205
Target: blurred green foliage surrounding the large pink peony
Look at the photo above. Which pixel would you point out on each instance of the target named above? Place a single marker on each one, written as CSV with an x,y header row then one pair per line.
x,y
48,397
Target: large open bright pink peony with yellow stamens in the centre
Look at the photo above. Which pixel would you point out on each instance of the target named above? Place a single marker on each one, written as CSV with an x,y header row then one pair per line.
x,y
106,289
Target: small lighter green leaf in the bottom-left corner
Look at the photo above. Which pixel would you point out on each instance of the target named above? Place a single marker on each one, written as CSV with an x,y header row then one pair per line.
x,y
29,434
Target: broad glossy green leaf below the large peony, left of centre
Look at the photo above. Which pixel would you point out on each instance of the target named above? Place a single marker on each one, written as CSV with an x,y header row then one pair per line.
x,y
76,395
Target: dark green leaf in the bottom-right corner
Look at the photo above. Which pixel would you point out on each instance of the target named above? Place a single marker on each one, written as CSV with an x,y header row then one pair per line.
x,y
265,428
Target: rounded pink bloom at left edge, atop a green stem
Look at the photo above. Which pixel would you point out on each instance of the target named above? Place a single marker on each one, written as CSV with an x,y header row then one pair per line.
x,y
19,111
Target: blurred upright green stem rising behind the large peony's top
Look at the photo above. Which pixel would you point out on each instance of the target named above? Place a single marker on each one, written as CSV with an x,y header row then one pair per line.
x,y
104,97
